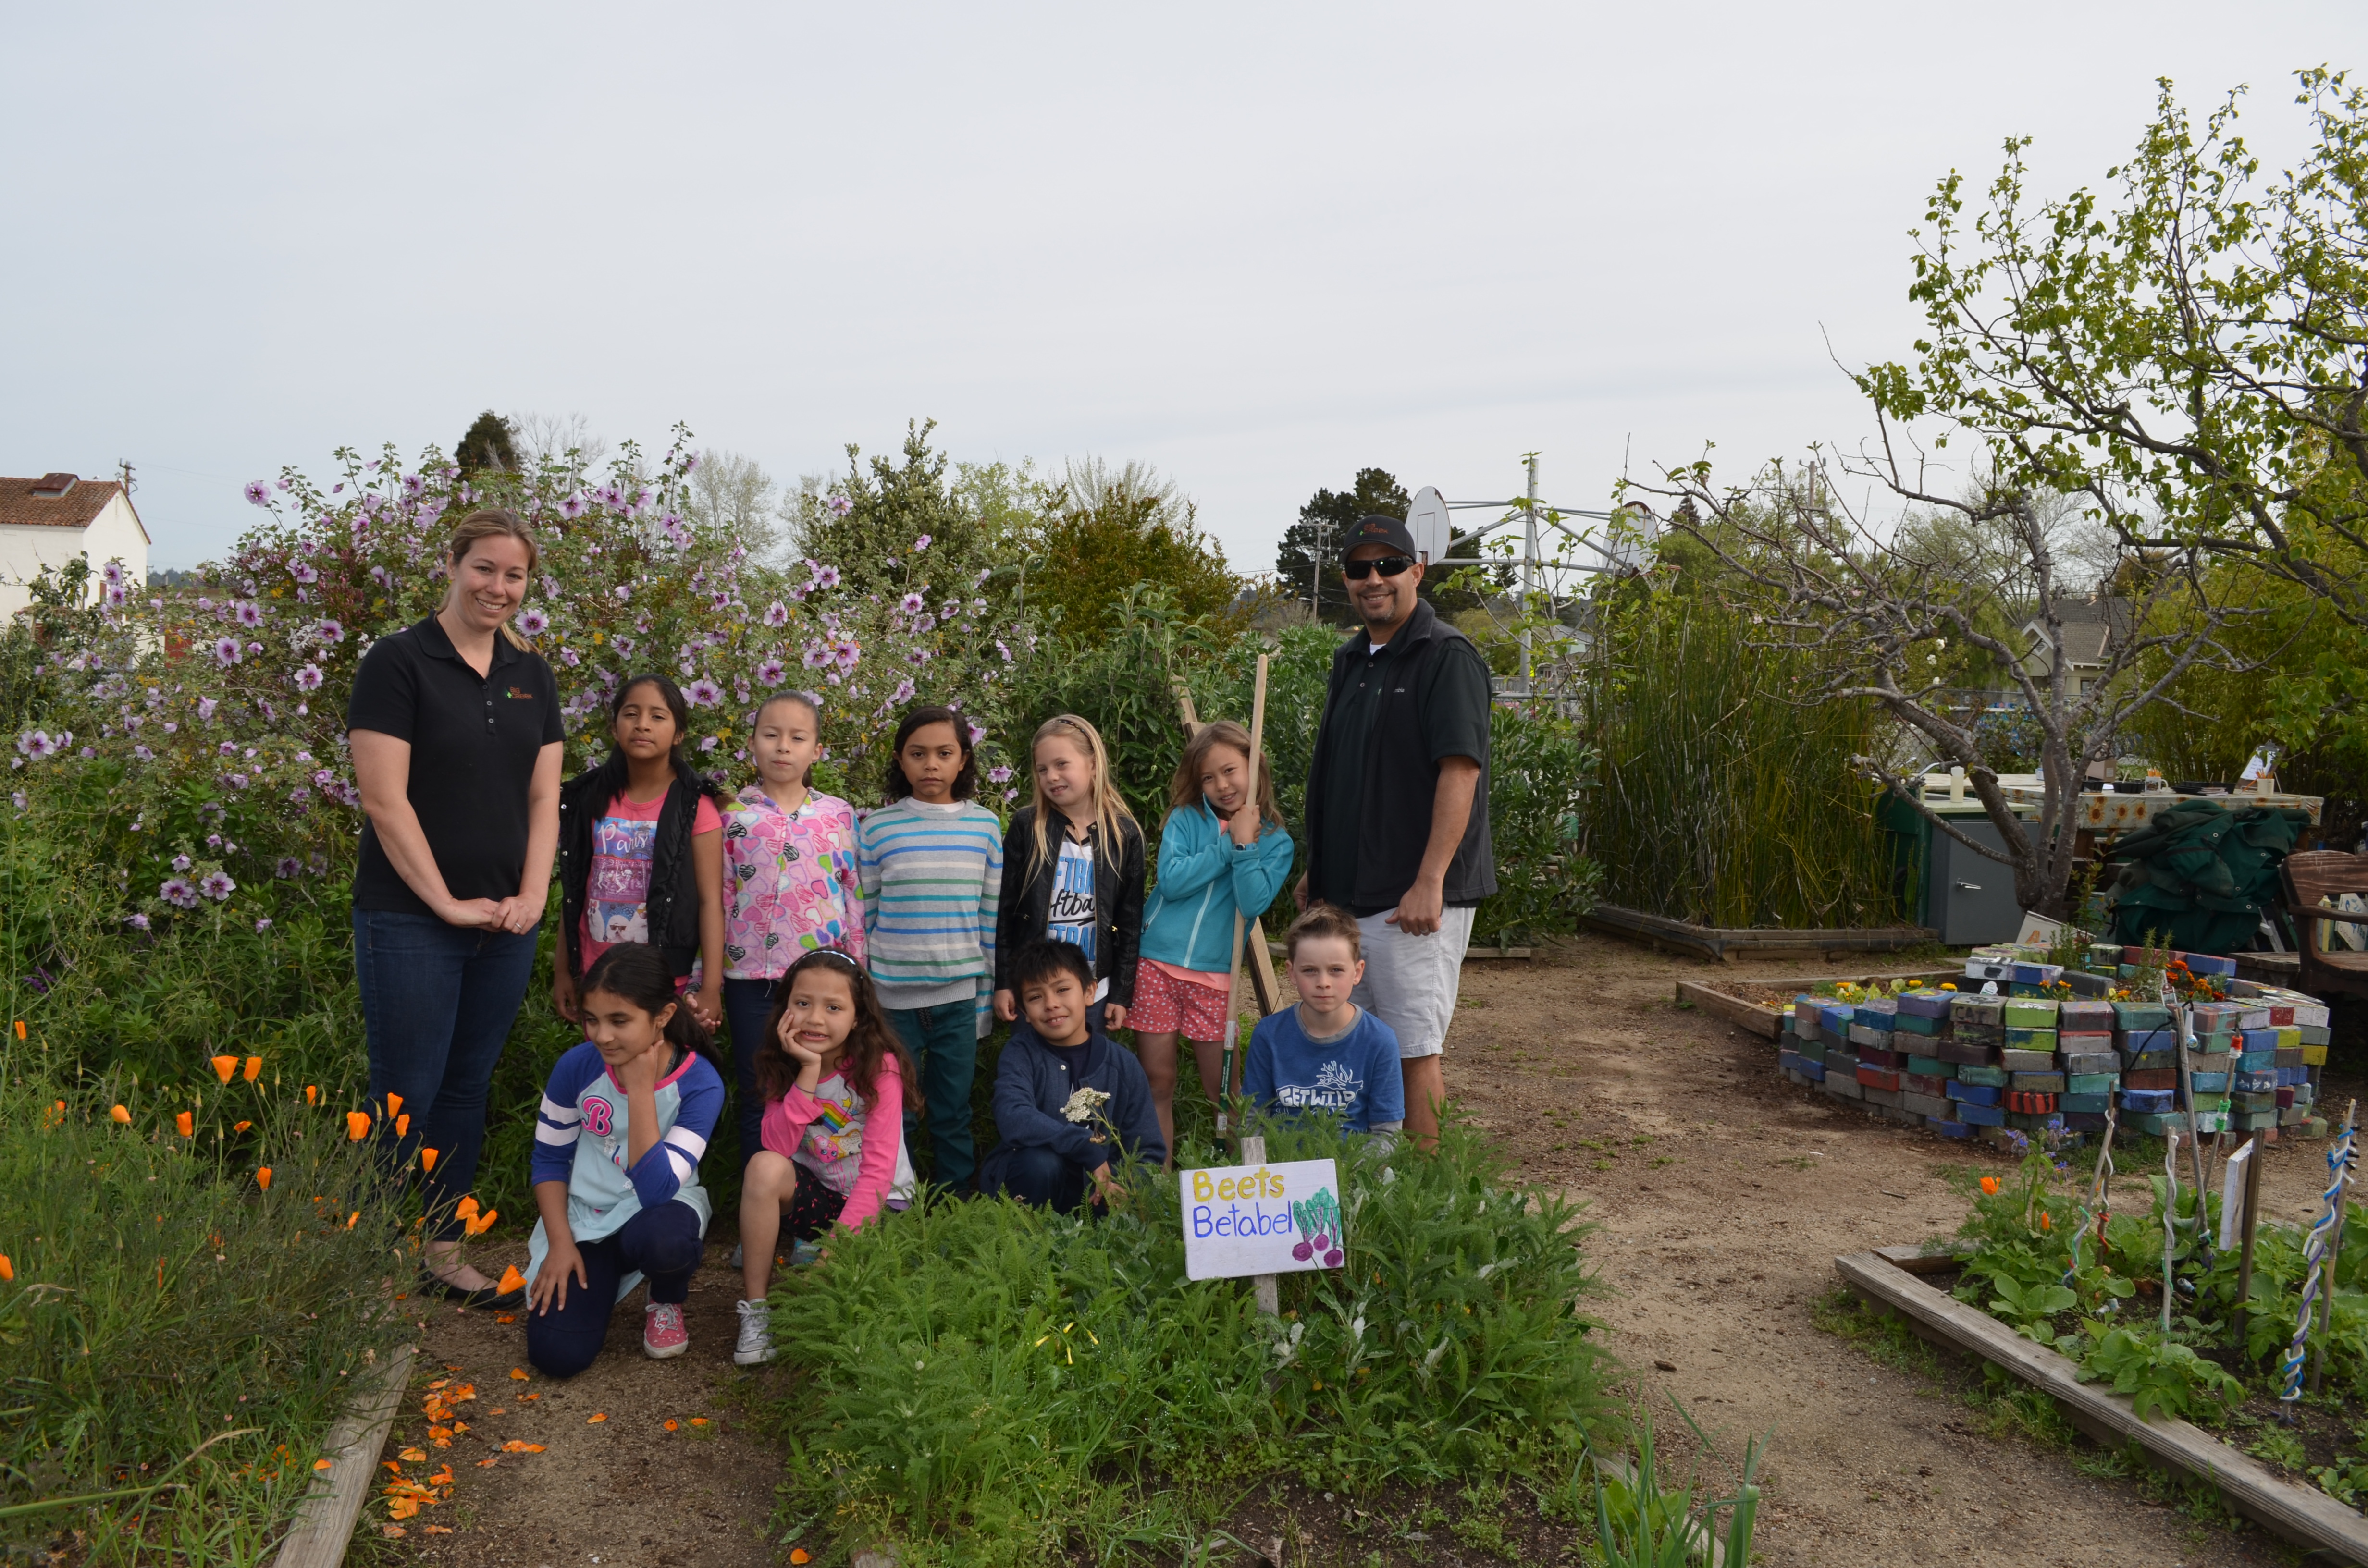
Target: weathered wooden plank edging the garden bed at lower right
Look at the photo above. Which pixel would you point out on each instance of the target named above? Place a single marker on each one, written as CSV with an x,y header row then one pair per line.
x,y
2296,1512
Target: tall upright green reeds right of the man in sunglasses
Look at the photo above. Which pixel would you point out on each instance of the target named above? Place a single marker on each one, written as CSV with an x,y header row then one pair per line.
x,y
1727,797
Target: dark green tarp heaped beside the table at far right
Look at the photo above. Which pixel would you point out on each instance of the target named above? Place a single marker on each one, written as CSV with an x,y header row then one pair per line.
x,y
2199,875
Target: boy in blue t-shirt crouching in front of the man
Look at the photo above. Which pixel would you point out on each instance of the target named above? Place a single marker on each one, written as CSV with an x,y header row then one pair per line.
x,y
1327,1053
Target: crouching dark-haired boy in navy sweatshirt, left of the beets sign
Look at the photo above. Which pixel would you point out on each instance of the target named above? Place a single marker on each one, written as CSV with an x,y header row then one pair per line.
x,y
1064,1091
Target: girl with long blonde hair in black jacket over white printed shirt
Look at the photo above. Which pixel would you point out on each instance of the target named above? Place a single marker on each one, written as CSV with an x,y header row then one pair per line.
x,y
1074,870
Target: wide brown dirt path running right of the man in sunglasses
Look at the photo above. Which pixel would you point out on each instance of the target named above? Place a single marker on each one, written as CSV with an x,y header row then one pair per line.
x,y
1725,1202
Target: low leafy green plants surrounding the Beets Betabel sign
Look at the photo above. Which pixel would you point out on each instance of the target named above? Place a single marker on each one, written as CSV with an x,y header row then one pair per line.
x,y
998,1384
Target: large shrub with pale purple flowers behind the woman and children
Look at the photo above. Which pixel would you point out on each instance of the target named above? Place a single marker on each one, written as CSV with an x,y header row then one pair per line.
x,y
214,714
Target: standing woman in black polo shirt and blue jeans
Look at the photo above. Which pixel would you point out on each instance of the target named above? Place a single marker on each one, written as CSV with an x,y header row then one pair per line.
x,y
456,745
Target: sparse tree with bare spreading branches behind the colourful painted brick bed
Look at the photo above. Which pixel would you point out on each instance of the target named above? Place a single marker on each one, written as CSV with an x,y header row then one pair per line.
x,y
1884,610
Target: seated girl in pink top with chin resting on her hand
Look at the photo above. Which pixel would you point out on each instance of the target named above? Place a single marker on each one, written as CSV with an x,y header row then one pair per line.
x,y
835,1084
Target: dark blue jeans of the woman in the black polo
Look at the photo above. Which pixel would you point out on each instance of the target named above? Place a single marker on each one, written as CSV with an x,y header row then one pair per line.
x,y
437,1008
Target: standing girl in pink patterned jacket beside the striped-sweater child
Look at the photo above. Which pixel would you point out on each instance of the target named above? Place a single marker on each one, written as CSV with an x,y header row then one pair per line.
x,y
790,885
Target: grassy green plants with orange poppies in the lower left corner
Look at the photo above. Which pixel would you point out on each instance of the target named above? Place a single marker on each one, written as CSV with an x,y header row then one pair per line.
x,y
195,1287
